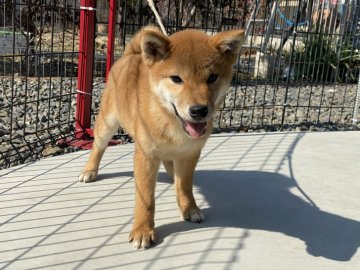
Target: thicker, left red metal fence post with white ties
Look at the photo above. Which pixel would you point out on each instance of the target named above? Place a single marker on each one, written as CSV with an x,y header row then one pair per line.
x,y
85,68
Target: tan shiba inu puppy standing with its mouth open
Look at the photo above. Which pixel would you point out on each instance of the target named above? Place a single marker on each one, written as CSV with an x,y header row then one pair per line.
x,y
164,91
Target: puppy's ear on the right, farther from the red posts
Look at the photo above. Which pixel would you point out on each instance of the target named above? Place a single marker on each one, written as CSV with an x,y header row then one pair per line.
x,y
229,43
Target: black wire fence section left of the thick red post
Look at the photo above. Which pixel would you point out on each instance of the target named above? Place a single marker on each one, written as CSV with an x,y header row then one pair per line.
x,y
38,65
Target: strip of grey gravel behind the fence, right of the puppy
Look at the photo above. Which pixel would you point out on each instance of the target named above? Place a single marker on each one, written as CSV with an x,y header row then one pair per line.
x,y
317,108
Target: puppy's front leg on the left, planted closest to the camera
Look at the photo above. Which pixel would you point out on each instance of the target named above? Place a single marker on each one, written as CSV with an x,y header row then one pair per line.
x,y
145,168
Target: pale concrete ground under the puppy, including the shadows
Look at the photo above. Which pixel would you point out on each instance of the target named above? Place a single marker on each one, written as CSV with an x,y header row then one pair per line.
x,y
271,201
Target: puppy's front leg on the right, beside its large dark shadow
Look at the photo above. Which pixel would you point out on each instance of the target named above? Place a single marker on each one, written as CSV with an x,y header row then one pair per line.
x,y
184,168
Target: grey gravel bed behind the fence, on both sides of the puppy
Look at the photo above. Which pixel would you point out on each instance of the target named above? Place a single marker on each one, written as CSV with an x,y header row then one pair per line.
x,y
35,112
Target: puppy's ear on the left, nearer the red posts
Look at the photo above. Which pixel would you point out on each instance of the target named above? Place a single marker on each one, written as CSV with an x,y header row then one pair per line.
x,y
154,45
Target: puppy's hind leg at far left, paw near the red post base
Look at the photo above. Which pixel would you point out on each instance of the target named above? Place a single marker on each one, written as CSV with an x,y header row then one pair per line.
x,y
105,127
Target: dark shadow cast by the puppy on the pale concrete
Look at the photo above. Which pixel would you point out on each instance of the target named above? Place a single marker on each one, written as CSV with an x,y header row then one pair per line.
x,y
263,201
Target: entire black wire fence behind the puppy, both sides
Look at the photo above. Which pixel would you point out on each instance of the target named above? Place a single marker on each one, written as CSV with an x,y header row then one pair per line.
x,y
298,68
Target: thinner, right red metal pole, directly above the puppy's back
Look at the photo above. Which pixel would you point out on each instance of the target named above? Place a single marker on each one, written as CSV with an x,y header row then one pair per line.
x,y
111,36
